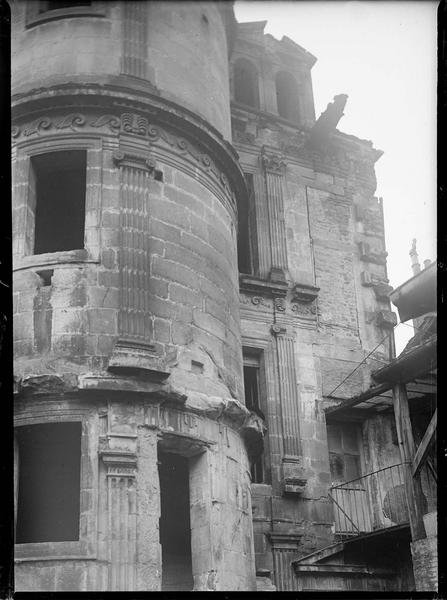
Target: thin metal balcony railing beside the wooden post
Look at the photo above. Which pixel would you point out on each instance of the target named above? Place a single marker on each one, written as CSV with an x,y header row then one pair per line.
x,y
374,501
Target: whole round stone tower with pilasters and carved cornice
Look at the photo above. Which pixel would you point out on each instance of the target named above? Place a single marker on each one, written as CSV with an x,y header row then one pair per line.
x,y
128,360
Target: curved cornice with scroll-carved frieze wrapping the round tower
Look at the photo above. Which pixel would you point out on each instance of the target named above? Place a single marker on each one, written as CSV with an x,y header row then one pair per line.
x,y
131,112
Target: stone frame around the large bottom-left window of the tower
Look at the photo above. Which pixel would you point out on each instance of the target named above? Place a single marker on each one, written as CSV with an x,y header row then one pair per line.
x,y
85,547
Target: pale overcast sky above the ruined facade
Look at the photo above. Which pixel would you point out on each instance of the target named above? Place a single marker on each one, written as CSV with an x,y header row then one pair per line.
x,y
383,54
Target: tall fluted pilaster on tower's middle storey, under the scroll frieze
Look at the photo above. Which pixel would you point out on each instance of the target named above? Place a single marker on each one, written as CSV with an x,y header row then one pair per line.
x,y
134,324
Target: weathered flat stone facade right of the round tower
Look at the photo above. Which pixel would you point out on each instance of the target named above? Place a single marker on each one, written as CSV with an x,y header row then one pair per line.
x,y
324,205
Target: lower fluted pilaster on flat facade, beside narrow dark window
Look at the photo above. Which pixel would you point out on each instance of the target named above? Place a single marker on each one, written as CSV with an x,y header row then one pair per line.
x,y
293,477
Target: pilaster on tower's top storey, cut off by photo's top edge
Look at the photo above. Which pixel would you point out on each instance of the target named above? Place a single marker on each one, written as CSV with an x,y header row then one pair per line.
x,y
133,61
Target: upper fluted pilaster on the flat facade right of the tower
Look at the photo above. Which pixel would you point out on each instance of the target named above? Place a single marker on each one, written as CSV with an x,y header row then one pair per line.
x,y
273,170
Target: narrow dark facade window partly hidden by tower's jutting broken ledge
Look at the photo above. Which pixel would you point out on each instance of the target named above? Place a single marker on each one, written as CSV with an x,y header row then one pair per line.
x,y
253,386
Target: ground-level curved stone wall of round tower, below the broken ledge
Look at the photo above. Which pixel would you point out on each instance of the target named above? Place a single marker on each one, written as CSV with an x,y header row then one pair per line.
x,y
120,506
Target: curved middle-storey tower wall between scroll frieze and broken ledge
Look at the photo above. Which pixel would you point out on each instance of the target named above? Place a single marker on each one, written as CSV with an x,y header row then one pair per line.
x,y
190,277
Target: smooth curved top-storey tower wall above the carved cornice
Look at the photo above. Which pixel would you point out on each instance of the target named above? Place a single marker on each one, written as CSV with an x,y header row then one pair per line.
x,y
174,50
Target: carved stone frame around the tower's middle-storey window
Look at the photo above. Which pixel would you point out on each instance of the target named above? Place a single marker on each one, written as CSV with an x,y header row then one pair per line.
x,y
22,245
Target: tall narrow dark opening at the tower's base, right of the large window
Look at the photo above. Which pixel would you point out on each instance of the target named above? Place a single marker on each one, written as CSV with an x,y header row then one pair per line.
x,y
175,527
